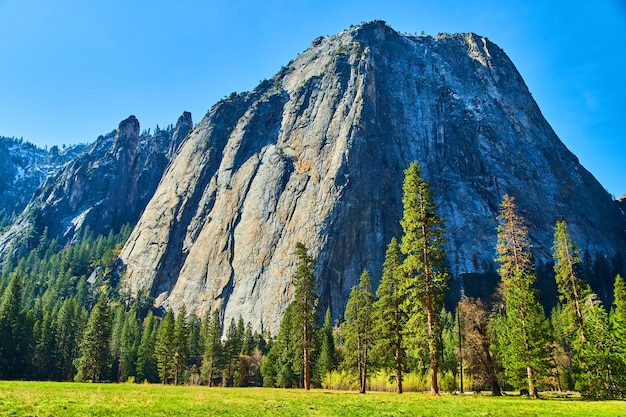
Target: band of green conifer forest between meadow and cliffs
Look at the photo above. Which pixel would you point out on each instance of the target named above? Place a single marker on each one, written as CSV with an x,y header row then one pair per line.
x,y
65,329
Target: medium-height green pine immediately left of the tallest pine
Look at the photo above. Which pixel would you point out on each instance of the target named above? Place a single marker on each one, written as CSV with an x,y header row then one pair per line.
x,y
390,318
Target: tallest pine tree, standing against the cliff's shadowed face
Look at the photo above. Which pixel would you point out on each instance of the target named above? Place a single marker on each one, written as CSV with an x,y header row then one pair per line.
x,y
424,265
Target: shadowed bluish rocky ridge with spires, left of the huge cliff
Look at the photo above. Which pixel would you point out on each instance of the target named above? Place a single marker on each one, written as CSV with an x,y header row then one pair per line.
x,y
105,187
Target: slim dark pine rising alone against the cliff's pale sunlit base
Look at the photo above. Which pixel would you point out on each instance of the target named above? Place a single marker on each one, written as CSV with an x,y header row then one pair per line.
x,y
304,310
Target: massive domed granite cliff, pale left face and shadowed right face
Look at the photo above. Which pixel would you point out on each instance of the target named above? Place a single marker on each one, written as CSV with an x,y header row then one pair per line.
x,y
316,155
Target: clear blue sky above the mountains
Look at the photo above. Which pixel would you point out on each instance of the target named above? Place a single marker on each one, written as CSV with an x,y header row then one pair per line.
x,y
71,70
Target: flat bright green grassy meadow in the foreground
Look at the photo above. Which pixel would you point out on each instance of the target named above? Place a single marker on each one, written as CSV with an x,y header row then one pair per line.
x,y
70,399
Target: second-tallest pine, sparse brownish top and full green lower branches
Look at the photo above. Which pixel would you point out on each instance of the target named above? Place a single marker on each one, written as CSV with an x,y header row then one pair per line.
x,y
523,333
